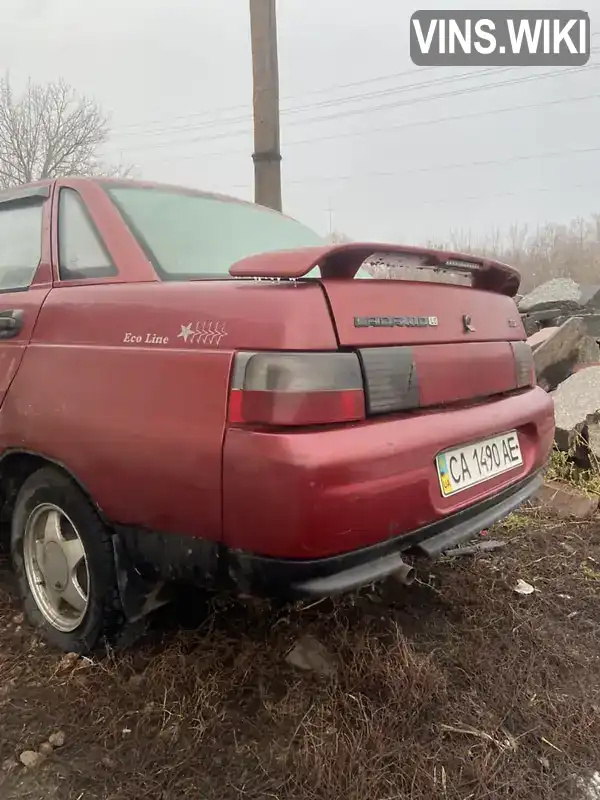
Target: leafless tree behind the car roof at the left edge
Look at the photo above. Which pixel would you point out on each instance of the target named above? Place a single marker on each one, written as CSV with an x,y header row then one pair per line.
x,y
49,131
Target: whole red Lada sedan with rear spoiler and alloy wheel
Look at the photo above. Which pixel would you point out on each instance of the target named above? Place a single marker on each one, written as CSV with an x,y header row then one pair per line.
x,y
199,389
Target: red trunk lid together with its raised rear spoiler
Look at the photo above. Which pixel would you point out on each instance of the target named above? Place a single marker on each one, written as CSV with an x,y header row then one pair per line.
x,y
421,343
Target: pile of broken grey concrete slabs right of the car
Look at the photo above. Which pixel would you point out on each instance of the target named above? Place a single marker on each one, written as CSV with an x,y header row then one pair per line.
x,y
562,320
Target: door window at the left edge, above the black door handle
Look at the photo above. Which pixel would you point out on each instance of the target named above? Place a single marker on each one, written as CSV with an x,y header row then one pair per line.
x,y
20,243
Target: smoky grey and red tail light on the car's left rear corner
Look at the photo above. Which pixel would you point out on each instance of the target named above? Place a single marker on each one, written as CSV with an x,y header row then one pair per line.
x,y
296,389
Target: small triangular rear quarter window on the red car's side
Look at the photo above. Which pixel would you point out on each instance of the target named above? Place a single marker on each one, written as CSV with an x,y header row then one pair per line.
x,y
81,253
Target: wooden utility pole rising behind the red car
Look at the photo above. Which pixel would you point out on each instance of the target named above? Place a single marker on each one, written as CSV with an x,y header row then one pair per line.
x,y
265,72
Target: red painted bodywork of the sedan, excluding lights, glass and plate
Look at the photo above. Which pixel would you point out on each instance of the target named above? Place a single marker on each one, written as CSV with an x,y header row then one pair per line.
x,y
143,426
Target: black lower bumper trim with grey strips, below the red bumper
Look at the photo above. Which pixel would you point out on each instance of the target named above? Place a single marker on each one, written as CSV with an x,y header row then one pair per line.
x,y
297,579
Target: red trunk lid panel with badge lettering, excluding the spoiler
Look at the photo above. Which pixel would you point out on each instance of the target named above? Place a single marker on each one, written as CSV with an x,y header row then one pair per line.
x,y
426,344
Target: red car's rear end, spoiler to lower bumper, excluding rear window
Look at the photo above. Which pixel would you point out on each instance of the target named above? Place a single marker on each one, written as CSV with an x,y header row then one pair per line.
x,y
422,428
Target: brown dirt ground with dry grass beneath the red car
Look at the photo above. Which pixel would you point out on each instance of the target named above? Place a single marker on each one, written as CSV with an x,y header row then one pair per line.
x,y
456,688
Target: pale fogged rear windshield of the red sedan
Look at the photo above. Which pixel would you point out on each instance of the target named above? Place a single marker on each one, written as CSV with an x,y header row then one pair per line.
x,y
195,236
